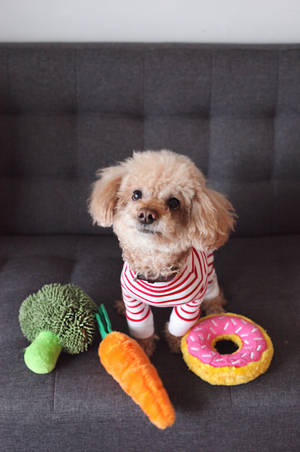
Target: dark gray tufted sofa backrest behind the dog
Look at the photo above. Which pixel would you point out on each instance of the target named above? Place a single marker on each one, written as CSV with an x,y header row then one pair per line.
x,y
66,110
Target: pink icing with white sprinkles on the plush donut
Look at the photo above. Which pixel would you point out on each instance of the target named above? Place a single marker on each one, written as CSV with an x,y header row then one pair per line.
x,y
201,336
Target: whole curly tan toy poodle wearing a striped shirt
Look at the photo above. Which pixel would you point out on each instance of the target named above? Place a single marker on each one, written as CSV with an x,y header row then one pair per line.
x,y
168,224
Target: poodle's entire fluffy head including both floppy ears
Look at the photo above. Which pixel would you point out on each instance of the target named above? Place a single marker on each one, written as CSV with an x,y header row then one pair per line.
x,y
159,200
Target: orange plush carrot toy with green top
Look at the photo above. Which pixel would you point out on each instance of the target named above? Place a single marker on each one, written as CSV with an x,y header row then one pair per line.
x,y
124,359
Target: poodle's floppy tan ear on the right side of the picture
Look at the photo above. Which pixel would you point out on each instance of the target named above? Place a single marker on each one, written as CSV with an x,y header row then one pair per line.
x,y
212,219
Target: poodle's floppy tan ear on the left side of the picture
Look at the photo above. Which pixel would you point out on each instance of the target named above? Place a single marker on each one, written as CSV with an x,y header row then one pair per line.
x,y
104,195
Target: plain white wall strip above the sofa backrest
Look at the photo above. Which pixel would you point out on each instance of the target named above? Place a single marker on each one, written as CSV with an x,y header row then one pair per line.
x,y
252,21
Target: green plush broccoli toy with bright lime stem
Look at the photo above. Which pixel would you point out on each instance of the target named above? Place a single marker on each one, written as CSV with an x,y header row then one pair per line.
x,y
57,317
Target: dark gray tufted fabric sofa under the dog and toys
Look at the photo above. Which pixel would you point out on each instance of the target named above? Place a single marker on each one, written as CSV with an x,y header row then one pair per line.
x,y
66,110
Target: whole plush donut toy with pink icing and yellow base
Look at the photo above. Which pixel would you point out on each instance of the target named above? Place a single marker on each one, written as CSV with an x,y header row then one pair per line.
x,y
251,359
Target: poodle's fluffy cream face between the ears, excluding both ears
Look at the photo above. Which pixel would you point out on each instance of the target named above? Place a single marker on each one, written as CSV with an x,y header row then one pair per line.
x,y
154,199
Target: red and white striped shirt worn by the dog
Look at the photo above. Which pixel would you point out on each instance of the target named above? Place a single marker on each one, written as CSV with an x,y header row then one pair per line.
x,y
184,293
